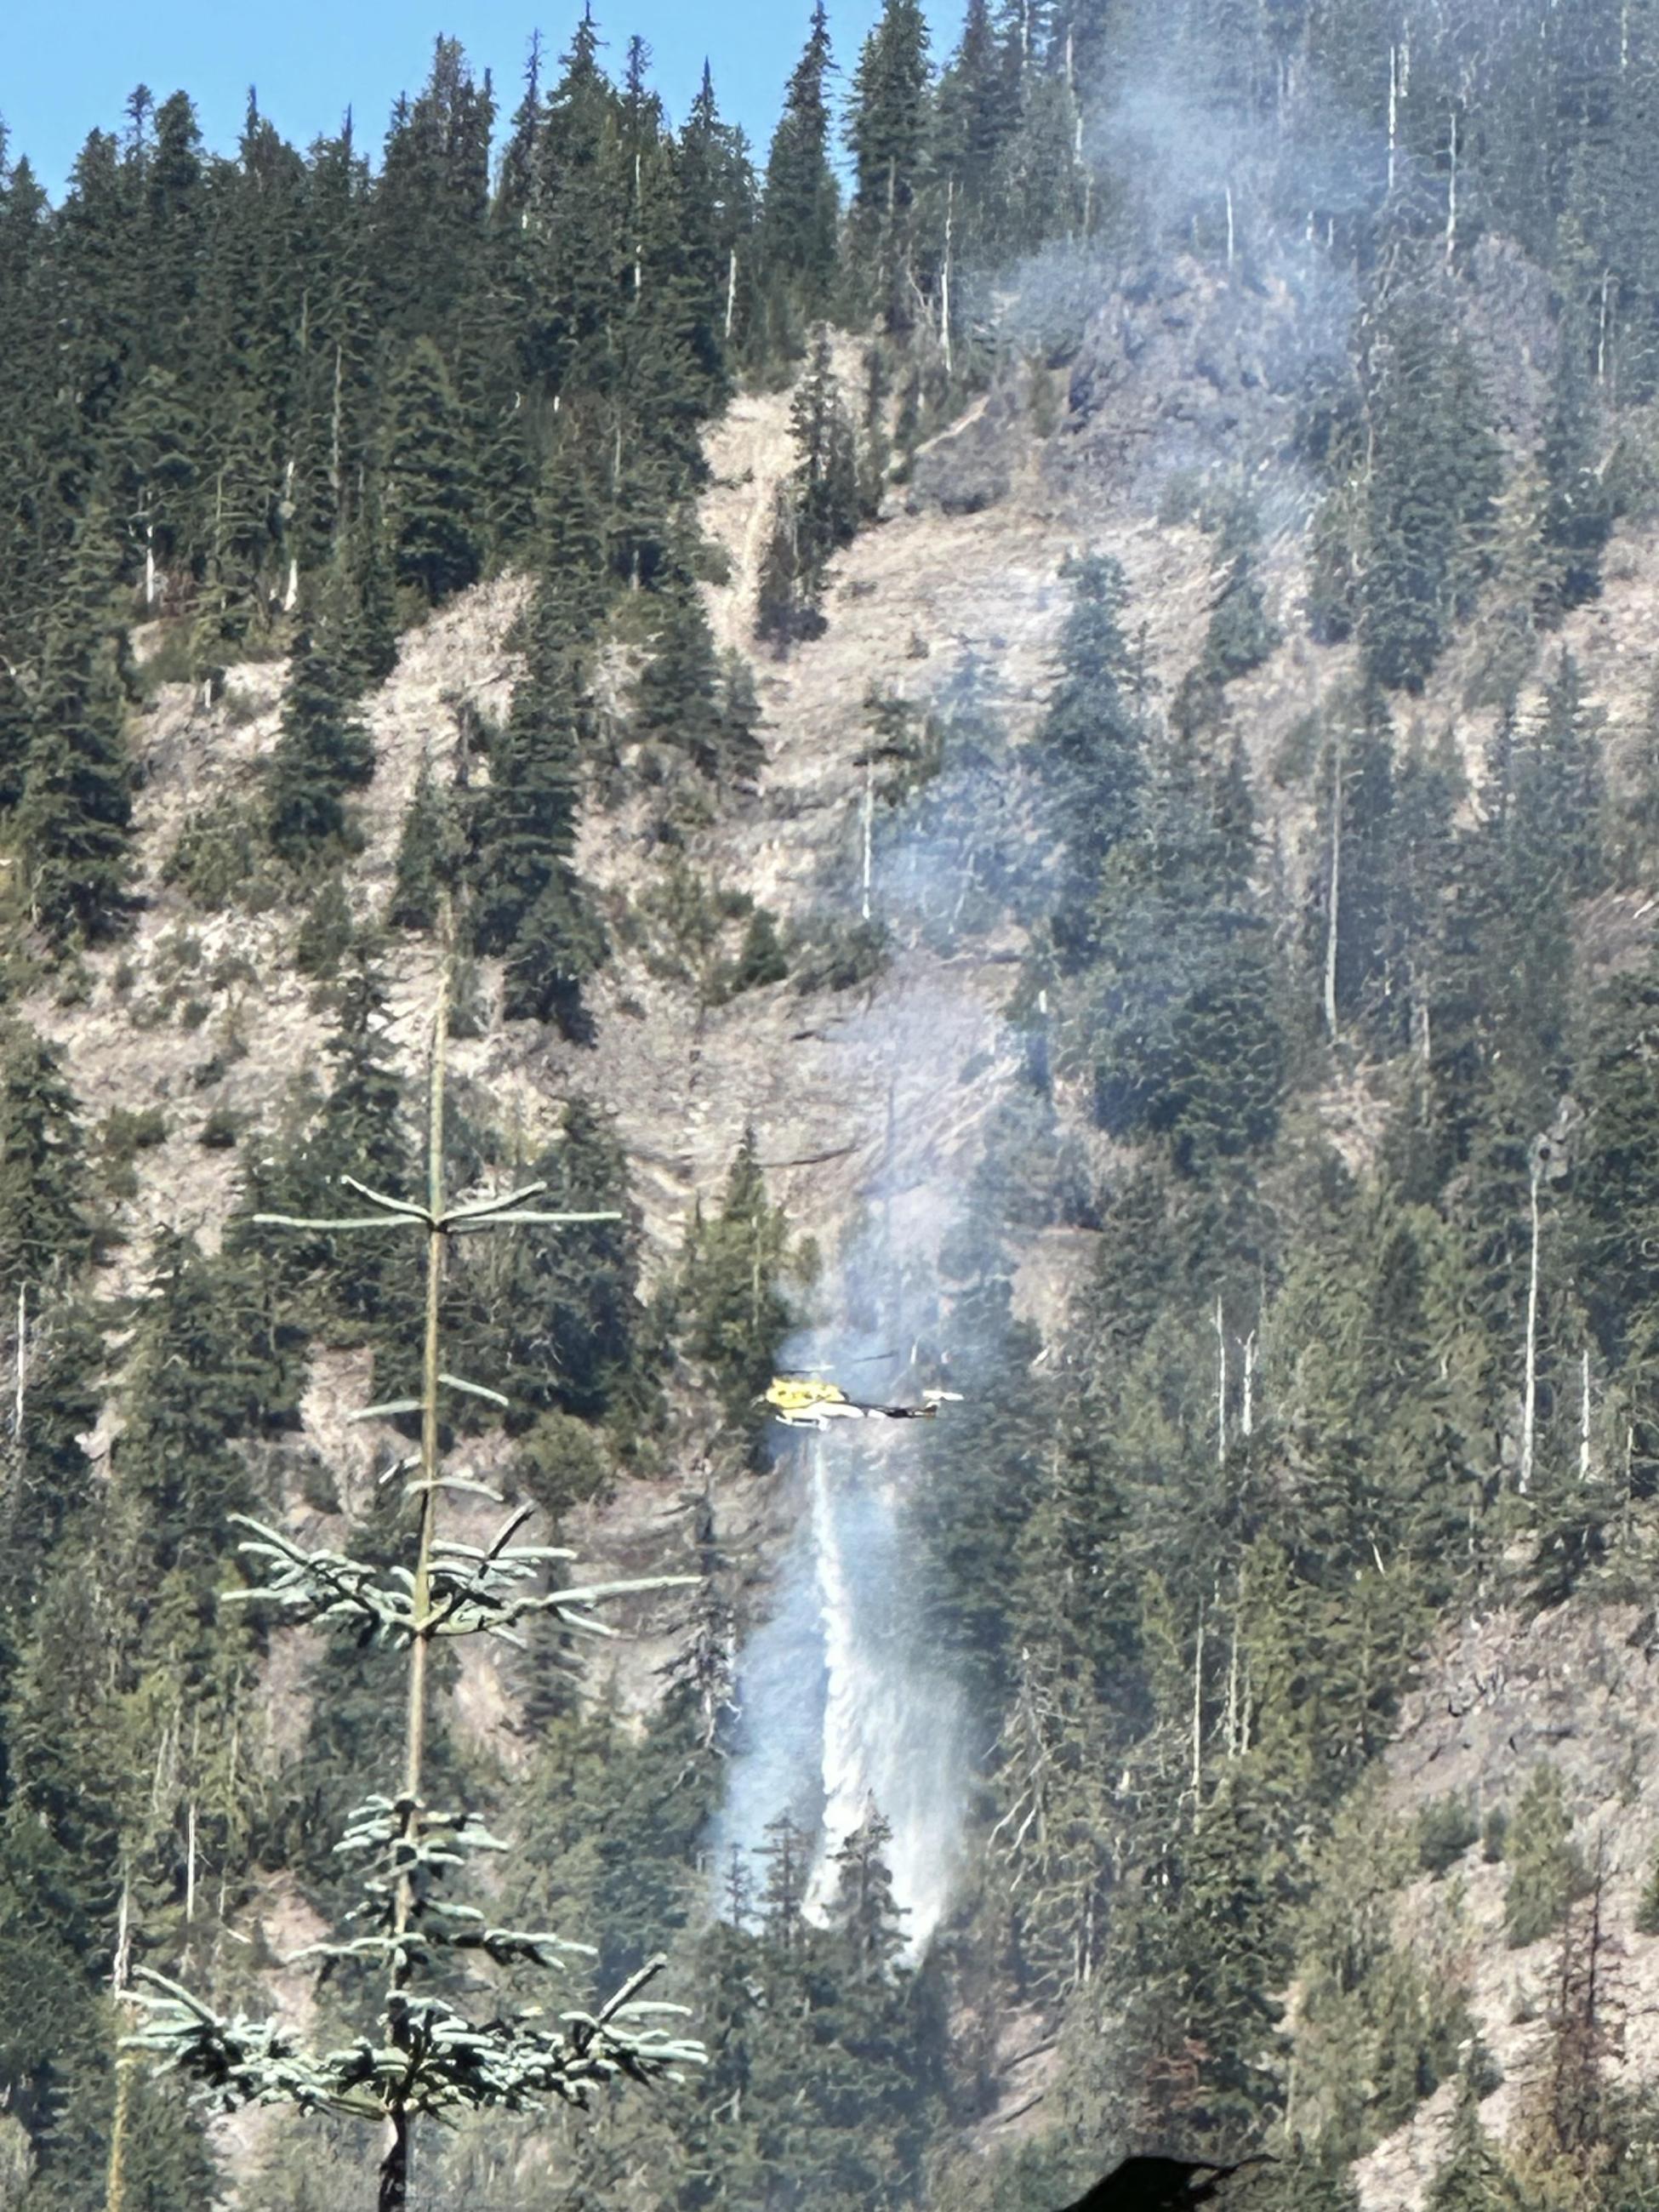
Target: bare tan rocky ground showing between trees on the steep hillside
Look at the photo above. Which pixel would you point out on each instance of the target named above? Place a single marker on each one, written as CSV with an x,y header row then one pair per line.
x,y
888,1085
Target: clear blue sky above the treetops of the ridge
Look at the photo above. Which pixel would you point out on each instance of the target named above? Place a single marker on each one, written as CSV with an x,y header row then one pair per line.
x,y
70,67
